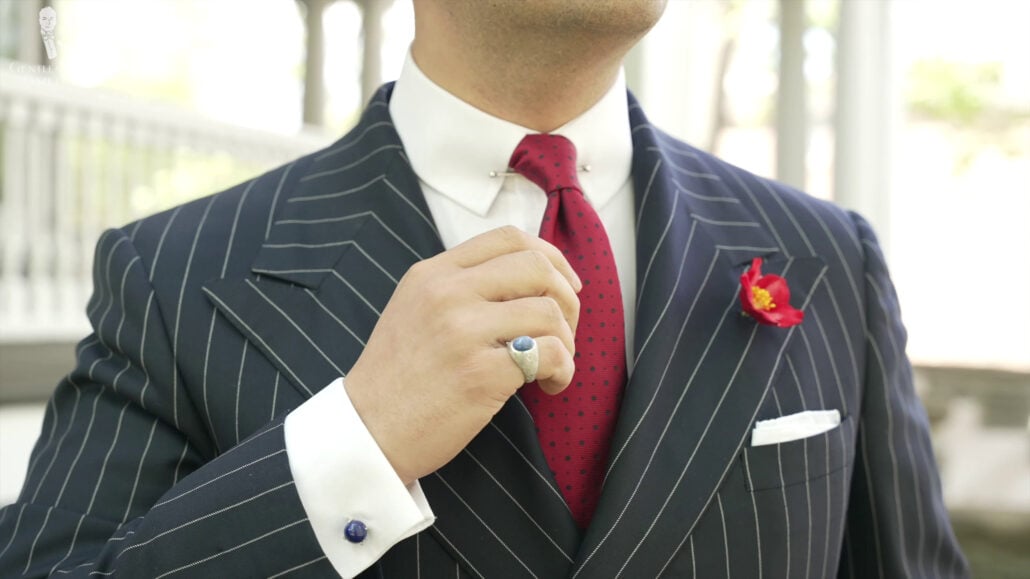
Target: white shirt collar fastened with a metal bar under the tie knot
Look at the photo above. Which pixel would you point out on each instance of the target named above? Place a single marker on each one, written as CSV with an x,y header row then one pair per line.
x,y
454,147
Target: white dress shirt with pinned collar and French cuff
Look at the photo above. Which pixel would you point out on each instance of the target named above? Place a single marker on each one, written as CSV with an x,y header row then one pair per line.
x,y
340,472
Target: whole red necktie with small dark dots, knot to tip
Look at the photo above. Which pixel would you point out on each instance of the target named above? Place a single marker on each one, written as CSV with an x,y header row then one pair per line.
x,y
575,427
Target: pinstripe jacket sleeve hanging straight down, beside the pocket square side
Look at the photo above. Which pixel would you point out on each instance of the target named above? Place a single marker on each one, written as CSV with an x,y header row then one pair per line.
x,y
898,525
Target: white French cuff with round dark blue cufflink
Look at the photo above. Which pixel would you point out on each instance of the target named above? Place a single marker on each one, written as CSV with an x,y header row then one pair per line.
x,y
347,484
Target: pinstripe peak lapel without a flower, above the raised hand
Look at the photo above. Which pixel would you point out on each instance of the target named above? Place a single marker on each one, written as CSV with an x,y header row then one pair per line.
x,y
350,224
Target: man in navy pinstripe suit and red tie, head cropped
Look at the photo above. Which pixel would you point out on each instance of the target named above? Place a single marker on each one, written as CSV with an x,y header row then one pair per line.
x,y
207,431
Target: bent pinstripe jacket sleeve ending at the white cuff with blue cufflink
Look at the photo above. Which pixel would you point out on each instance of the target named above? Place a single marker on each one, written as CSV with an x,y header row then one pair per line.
x,y
124,481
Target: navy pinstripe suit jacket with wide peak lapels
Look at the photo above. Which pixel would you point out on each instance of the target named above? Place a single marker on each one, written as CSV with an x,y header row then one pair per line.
x,y
162,454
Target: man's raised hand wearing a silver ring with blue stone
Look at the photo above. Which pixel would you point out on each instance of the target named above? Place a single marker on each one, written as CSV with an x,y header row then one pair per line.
x,y
437,369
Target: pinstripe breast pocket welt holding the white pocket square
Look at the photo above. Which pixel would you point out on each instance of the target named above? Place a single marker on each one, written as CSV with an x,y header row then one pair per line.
x,y
777,466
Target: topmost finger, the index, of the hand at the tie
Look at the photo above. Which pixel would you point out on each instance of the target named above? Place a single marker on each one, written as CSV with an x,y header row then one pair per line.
x,y
510,240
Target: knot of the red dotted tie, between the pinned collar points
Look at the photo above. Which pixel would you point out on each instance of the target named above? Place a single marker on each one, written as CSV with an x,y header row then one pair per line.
x,y
548,161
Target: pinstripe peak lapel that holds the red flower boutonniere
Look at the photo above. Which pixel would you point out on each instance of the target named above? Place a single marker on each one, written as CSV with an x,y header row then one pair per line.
x,y
702,370
